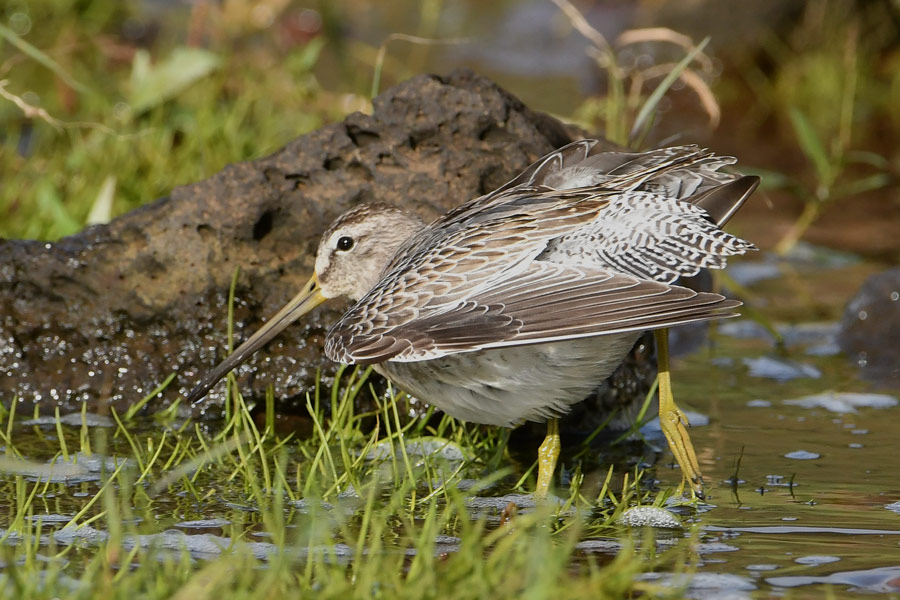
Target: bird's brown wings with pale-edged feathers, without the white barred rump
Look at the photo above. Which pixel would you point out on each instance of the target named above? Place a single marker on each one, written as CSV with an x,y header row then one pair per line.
x,y
443,291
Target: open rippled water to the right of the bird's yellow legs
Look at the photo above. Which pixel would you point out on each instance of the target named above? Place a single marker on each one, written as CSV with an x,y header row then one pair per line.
x,y
804,488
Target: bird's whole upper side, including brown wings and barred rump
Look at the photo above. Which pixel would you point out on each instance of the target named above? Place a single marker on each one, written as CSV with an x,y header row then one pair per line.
x,y
581,243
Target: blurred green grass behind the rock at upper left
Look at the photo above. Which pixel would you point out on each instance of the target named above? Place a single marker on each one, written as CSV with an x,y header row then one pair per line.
x,y
125,99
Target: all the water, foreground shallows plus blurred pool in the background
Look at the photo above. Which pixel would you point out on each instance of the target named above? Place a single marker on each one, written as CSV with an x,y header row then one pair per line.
x,y
799,454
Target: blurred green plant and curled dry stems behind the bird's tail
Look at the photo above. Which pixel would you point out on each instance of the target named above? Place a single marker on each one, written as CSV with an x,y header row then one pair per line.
x,y
829,86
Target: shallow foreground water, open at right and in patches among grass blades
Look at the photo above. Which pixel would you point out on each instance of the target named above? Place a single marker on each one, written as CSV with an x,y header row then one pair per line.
x,y
801,489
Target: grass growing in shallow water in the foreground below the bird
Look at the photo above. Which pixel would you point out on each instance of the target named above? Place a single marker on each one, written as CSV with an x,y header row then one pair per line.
x,y
131,510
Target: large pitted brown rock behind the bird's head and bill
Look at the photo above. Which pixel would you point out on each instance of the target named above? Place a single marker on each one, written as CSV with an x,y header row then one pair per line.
x,y
105,315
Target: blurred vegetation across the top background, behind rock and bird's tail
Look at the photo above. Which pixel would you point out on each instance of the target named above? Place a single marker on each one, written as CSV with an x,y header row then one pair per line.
x,y
157,94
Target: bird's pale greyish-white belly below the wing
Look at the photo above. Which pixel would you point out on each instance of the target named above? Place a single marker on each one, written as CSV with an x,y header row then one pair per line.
x,y
506,386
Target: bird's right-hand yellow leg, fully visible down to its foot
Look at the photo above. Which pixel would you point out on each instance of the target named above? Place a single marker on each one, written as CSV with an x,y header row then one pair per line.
x,y
673,421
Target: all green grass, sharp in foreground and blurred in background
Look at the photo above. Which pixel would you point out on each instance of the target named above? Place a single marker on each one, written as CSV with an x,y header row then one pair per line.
x,y
95,125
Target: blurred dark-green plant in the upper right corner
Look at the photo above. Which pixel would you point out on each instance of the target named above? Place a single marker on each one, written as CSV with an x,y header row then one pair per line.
x,y
827,90
